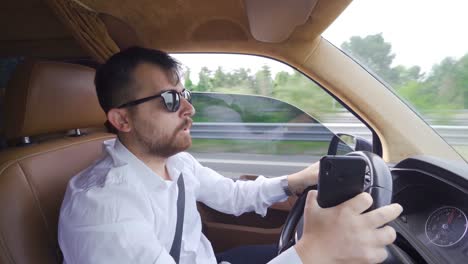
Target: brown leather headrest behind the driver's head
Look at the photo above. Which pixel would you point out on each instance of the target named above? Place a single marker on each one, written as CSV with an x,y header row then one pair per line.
x,y
45,97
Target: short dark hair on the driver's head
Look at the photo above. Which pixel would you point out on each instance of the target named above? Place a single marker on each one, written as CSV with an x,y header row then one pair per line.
x,y
114,79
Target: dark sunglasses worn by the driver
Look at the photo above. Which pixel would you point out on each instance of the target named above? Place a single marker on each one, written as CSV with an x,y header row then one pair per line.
x,y
171,99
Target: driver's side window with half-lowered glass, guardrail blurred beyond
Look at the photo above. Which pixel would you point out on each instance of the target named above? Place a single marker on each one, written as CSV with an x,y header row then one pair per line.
x,y
267,119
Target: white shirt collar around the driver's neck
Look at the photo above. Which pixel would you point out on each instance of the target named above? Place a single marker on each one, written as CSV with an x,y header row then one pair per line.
x,y
124,157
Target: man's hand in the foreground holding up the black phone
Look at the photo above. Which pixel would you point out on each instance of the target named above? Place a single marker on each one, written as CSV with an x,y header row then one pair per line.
x,y
342,234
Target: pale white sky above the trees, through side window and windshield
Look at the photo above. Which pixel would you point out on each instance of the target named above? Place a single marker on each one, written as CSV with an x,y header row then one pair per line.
x,y
421,33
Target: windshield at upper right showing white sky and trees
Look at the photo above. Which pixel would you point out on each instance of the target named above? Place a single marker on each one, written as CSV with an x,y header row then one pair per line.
x,y
419,49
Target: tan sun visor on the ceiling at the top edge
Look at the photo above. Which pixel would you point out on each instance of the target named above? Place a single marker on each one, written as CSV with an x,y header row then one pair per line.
x,y
274,20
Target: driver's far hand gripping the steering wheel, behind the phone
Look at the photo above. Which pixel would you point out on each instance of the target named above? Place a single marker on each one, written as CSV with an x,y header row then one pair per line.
x,y
298,181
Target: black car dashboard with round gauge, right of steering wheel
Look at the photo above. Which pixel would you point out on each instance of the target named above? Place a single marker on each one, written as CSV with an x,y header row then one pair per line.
x,y
434,194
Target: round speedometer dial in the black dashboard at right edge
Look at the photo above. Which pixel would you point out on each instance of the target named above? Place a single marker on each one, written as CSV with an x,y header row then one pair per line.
x,y
446,226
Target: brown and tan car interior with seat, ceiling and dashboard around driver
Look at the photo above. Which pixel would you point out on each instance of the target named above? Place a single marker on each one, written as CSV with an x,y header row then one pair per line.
x,y
52,126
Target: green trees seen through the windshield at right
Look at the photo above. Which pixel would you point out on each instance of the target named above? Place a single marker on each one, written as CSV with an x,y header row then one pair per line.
x,y
435,95
